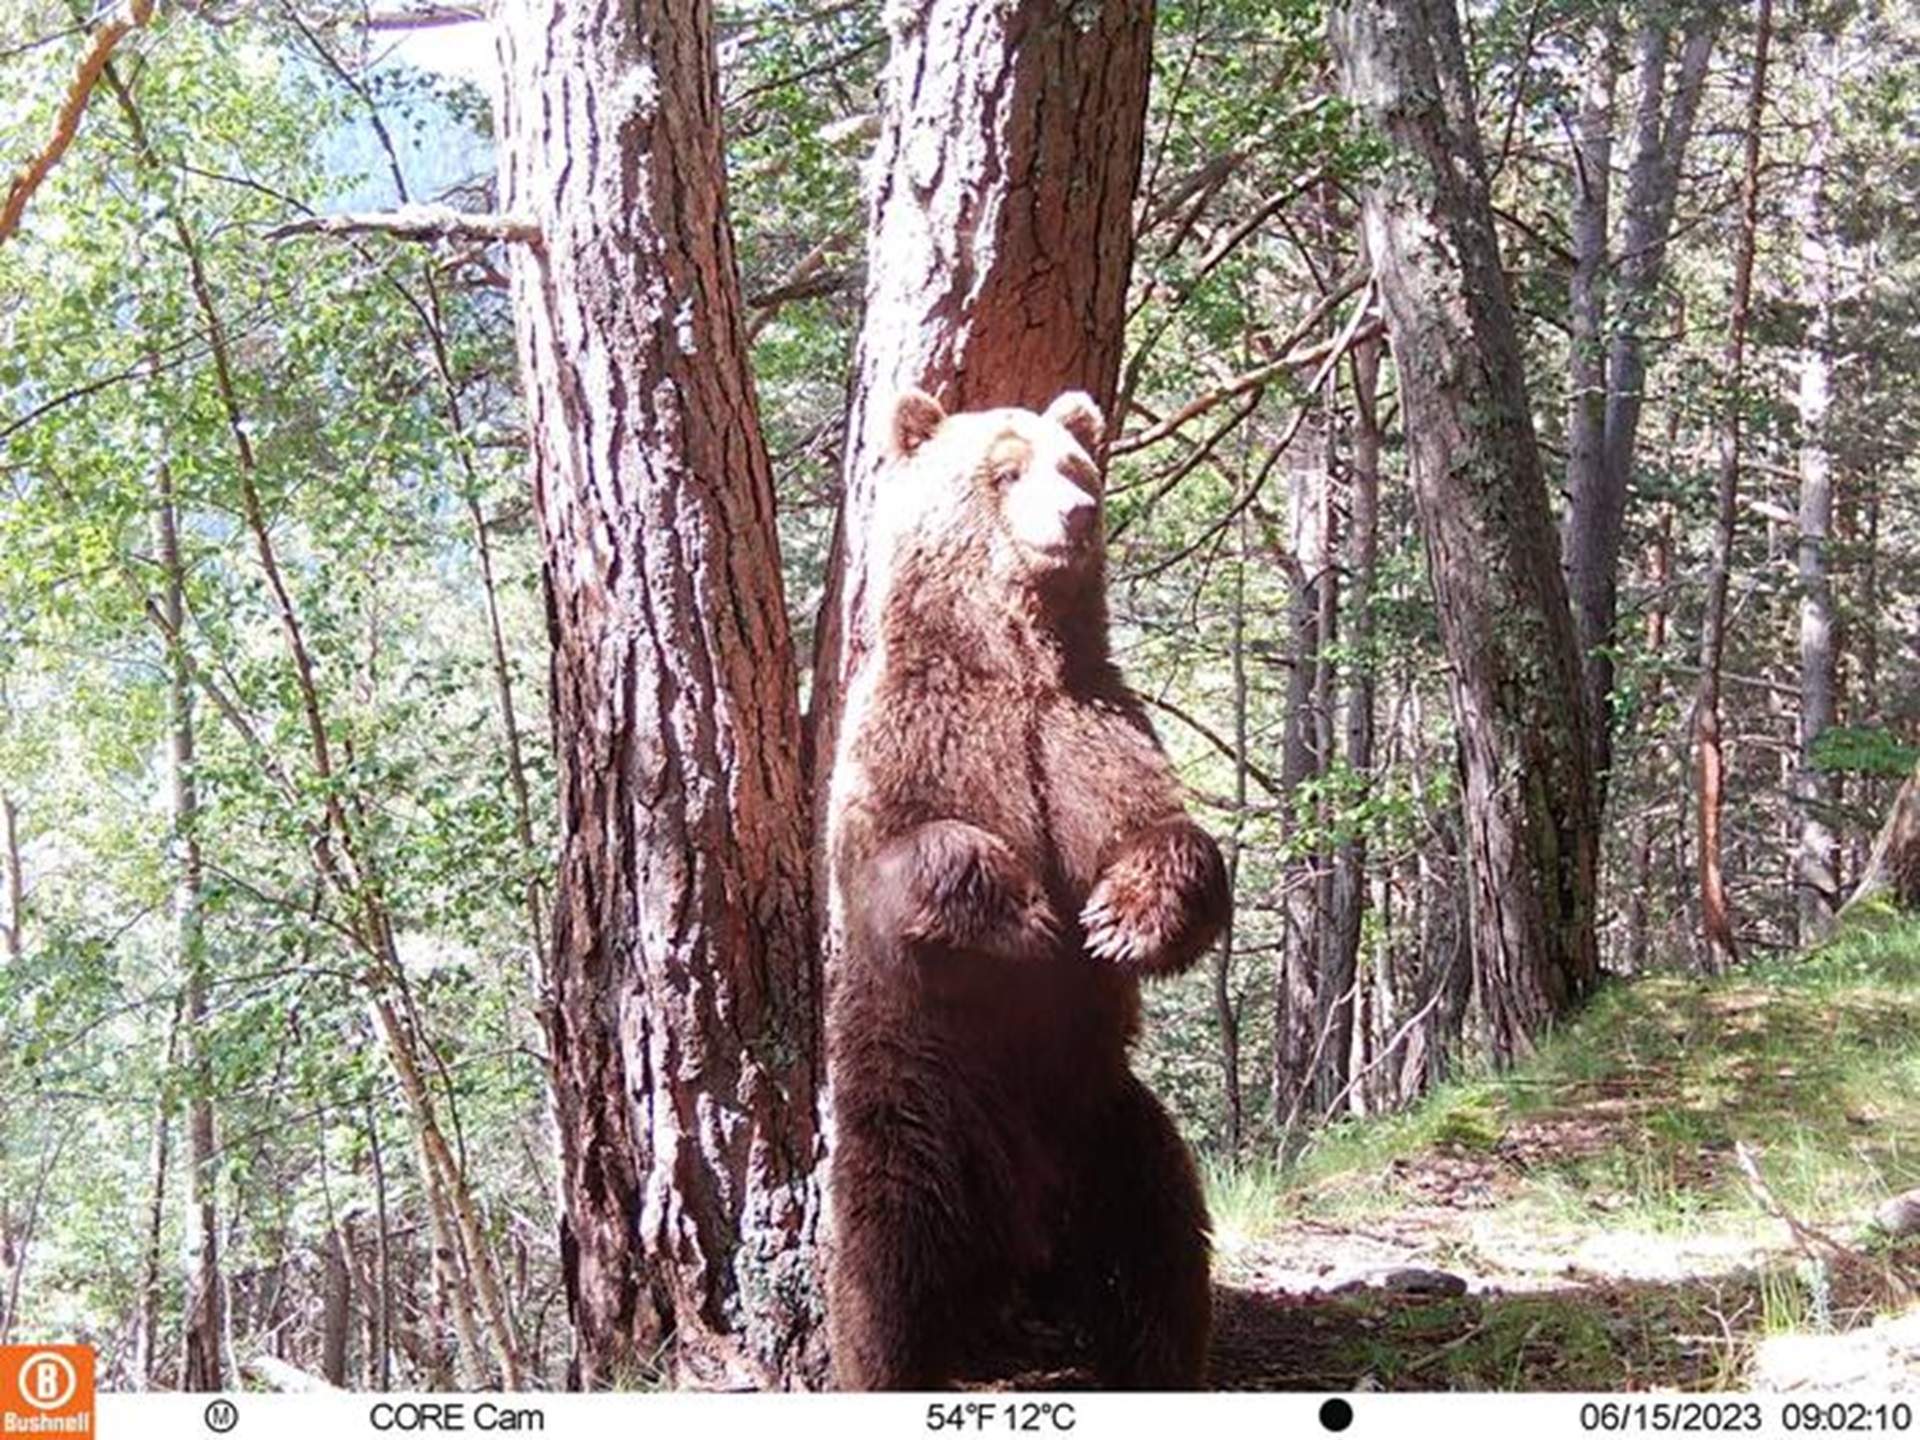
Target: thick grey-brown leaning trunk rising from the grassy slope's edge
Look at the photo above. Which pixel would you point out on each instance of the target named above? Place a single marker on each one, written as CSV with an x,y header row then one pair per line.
x,y
1481,496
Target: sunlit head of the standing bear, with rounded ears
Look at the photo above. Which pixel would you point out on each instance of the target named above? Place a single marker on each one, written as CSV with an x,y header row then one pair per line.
x,y
1009,496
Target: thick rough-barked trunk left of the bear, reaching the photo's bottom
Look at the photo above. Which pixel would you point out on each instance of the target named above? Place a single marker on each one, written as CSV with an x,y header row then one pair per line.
x,y
684,1026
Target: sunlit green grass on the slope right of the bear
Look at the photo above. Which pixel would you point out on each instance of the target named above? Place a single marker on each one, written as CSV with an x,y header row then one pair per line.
x,y
1629,1115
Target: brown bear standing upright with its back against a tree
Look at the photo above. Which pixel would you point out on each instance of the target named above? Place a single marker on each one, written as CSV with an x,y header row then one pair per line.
x,y
1011,857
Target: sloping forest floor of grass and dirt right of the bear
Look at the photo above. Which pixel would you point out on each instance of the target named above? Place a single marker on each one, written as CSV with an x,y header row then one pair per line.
x,y
1585,1224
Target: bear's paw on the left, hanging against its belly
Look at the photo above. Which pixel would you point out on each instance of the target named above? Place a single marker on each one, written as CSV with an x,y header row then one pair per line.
x,y
961,888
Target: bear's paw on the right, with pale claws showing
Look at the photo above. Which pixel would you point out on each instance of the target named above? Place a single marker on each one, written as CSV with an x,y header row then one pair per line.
x,y
1161,901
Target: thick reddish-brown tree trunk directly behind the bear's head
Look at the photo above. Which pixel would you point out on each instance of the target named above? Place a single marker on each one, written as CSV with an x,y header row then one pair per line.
x,y
1001,241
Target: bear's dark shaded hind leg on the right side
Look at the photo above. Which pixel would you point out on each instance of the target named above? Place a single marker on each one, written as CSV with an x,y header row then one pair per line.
x,y
1145,1278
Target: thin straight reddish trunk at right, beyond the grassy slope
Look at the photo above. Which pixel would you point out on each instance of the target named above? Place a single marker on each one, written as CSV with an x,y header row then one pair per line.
x,y
1717,917
